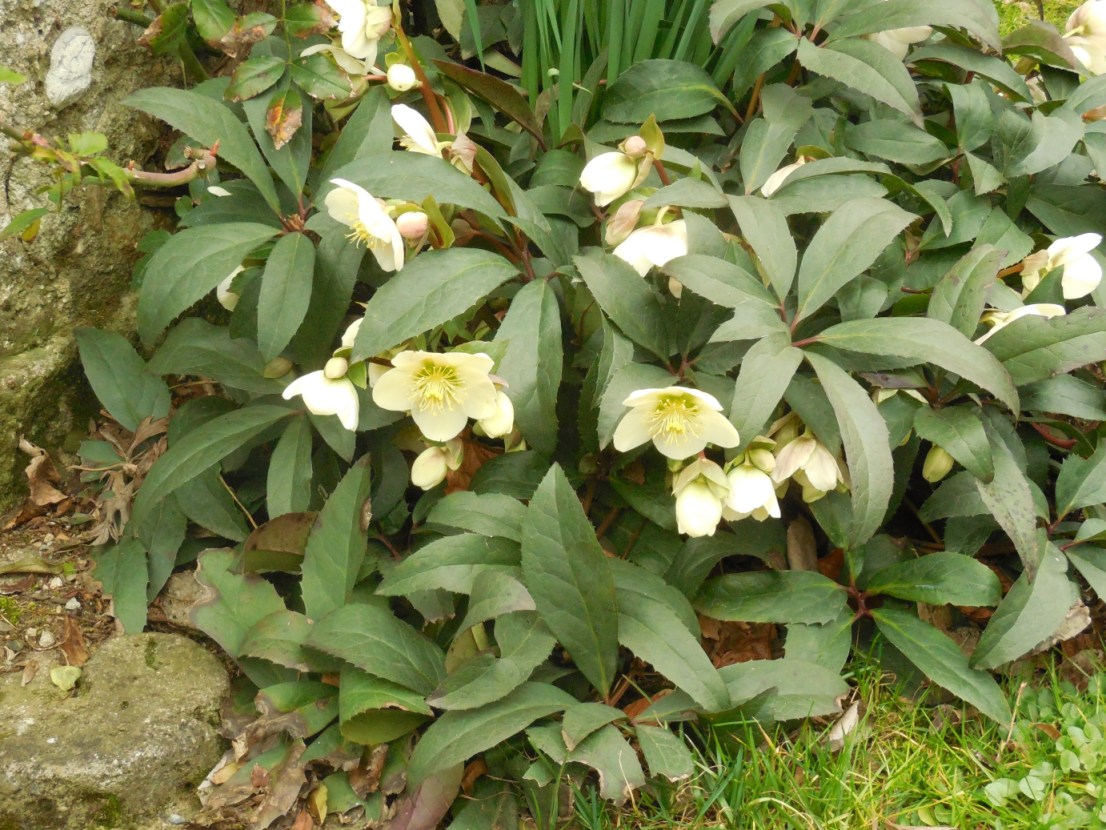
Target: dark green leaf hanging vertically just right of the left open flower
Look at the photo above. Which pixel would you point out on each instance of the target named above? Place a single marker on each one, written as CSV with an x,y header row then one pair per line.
x,y
534,362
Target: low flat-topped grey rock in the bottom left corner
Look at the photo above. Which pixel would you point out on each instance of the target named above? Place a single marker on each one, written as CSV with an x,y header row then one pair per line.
x,y
126,751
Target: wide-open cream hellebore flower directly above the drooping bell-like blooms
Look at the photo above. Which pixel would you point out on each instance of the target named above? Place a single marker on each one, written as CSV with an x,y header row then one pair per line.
x,y
681,422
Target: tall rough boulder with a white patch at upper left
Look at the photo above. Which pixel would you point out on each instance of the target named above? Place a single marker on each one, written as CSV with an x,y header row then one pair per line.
x,y
80,63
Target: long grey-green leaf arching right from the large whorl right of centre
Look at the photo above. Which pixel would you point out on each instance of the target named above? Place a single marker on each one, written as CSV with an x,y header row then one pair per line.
x,y
925,341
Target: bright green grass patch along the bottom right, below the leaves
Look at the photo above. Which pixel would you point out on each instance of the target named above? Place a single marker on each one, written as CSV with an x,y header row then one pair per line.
x,y
905,764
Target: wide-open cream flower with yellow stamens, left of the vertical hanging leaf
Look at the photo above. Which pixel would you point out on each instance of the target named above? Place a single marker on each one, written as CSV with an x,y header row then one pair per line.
x,y
441,391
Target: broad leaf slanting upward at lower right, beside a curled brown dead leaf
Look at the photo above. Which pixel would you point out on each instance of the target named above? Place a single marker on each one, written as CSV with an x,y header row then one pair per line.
x,y
1030,614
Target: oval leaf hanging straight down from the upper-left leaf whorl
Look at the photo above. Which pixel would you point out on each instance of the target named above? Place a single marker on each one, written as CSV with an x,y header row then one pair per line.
x,y
286,292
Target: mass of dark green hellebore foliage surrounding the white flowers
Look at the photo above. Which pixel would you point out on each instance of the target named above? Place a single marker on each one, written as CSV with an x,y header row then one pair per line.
x,y
540,607
